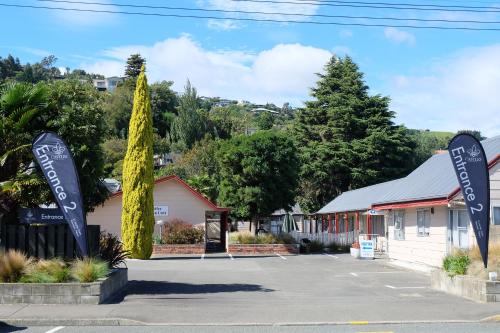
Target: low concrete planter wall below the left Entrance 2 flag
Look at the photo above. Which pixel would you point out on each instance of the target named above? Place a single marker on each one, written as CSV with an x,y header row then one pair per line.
x,y
64,293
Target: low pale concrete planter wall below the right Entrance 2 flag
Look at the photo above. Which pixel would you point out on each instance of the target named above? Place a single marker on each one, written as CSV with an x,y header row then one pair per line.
x,y
466,286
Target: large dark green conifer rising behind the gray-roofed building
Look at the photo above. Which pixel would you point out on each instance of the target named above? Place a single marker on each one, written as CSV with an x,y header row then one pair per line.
x,y
346,138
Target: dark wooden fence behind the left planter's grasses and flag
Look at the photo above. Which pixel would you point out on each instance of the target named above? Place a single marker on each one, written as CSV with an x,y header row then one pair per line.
x,y
46,241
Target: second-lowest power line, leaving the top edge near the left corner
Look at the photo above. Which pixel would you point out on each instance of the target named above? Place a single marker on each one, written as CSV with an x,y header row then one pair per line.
x,y
274,13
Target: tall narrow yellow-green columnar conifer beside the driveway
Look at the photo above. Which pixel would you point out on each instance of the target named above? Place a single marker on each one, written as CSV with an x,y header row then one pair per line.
x,y
137,212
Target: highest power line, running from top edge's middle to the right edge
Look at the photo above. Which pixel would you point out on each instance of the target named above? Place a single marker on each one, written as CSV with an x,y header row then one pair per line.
x,y
392,6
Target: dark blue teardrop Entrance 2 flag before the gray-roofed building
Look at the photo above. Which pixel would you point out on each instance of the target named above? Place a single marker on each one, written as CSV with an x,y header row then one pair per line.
x,y
471,166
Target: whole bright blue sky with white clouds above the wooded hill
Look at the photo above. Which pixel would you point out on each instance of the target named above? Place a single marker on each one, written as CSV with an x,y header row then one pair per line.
x,y
440,80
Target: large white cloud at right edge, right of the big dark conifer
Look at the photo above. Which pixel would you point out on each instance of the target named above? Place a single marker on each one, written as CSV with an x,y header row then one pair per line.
x,y
456,92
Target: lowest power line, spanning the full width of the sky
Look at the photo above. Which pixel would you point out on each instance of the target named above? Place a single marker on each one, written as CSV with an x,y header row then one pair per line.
x,y
250,19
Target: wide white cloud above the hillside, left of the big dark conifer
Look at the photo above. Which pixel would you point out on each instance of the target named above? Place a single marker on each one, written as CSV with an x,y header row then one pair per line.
x,y
283,73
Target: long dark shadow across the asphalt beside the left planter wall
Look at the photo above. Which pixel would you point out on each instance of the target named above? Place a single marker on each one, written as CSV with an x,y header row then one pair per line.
x,y
141,287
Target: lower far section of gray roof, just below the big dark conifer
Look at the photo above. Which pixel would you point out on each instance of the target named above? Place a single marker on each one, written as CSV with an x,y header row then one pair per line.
x,y
360,199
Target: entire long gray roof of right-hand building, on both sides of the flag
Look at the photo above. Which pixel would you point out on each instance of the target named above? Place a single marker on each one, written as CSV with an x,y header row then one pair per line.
x,y
435,178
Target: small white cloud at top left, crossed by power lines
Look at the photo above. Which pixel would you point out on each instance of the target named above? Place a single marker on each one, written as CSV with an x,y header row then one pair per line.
x,y
84,15
